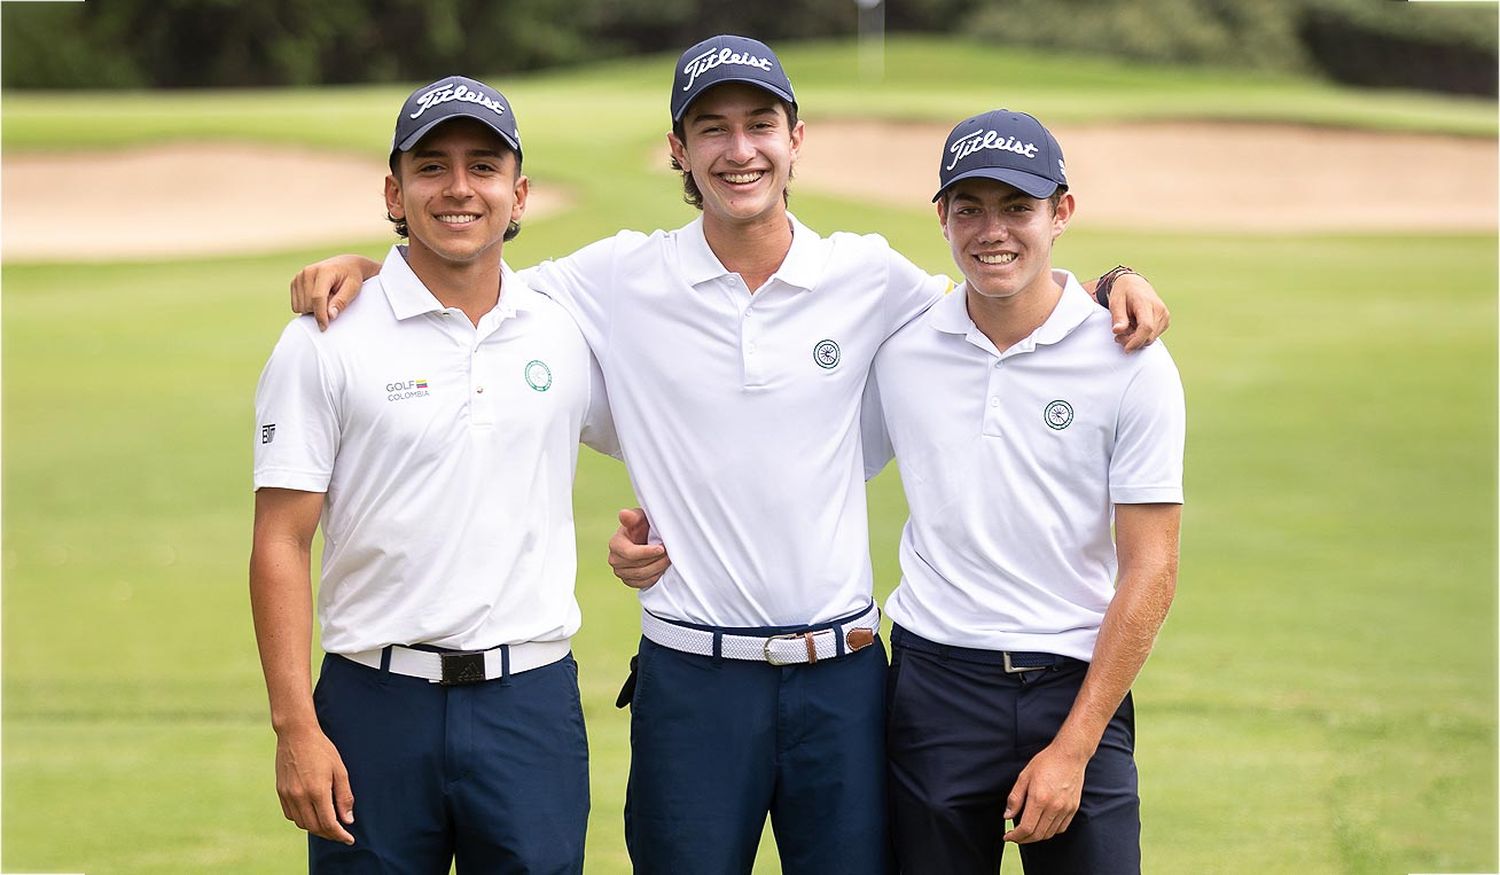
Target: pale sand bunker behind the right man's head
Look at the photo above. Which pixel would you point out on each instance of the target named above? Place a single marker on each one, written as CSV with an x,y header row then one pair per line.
x,y
1199,176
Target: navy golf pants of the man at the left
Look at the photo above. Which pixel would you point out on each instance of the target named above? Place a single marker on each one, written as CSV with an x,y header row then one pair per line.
x,y
493,775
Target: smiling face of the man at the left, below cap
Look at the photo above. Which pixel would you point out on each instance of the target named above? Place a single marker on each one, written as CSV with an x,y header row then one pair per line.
x,y
458,190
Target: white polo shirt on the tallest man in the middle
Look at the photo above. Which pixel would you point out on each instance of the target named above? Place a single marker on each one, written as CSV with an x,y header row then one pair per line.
x,y
740,415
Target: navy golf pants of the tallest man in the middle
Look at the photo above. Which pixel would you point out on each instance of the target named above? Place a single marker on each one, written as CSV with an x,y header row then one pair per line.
x,y
719,744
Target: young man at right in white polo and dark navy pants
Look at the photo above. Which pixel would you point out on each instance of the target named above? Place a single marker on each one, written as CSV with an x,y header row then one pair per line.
x,y
1022,434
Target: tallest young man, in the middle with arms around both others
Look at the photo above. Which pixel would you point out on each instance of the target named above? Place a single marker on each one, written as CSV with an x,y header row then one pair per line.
x,y
739,350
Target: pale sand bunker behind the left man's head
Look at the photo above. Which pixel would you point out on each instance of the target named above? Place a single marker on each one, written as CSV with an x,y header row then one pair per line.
x,y
194,200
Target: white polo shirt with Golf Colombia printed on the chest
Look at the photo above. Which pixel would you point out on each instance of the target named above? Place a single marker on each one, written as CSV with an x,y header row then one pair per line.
x,y
448,456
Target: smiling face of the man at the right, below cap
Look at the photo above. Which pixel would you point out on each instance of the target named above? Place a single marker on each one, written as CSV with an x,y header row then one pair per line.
x,y
1003,238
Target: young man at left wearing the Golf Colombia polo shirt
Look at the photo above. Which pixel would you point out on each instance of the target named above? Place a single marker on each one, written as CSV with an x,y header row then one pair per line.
x,y
436,436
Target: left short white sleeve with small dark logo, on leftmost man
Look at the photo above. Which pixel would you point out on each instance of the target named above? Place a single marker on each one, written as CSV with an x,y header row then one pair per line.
x,y
296,416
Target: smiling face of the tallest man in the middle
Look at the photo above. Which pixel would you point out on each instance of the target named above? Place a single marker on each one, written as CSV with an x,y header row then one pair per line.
x,y
740,148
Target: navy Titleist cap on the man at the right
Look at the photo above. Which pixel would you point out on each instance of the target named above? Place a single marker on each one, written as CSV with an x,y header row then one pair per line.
x,y
1006,146
